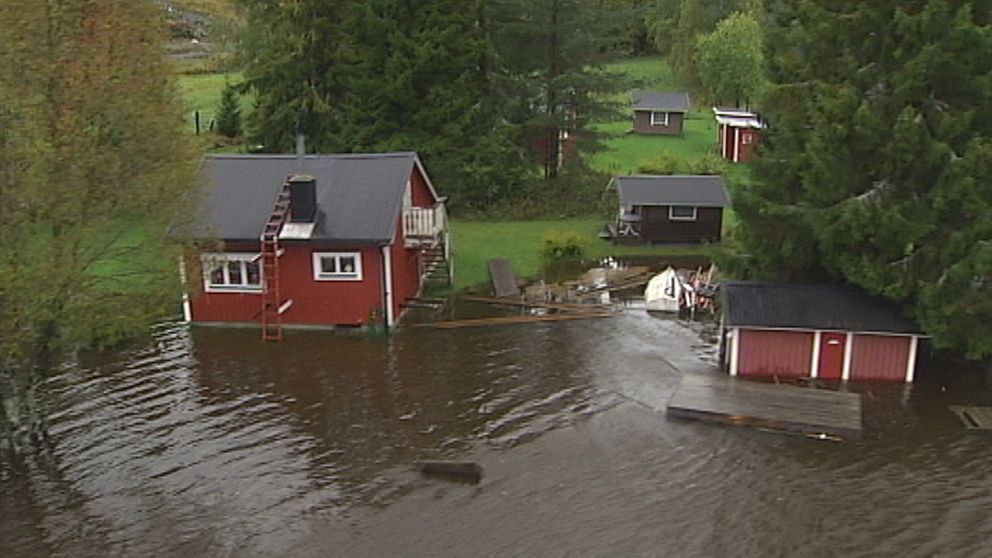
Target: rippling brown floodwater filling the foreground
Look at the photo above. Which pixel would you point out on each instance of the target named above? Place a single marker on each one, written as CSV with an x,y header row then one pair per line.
x,y
207,443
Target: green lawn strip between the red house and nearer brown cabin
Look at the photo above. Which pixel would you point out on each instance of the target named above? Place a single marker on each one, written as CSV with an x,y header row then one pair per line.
x,y
476,242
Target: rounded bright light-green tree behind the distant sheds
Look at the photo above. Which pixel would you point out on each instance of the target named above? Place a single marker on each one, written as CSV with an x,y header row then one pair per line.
x,y
731,60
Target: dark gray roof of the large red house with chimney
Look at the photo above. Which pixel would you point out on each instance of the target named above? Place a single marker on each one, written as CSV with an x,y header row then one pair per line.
x,y
359,196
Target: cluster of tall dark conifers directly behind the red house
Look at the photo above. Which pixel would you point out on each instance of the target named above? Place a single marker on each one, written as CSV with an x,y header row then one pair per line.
x,y
472,86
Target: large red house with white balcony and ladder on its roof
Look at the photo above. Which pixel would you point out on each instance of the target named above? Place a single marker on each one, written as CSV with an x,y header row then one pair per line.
x,y
320,240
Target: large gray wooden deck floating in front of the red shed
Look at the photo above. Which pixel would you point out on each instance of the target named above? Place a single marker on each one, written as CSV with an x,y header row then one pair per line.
x,y
727,400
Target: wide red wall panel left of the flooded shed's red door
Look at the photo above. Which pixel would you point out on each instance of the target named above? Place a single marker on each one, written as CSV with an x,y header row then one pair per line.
x,y
778,353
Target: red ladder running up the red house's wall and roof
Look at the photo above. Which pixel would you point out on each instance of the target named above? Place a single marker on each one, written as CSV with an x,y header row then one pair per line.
x,y
272,304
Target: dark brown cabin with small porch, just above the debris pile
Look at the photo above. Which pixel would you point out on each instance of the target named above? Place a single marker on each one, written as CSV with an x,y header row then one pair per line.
x,y
670,209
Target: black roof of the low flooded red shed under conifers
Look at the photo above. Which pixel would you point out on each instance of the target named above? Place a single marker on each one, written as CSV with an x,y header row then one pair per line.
x,y
810,307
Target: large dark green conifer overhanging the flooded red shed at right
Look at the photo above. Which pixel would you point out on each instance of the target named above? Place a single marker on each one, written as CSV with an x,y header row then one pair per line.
x,y
877,169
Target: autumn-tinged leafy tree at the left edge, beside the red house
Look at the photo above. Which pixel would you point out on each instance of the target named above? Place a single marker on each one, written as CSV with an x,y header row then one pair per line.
x,y
93,163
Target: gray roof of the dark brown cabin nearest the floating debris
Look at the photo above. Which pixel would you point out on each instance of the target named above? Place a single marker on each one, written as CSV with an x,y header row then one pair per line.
x,y
699,191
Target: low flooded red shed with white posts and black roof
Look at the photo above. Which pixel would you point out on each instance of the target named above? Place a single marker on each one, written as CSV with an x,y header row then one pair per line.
x,y
814,331
